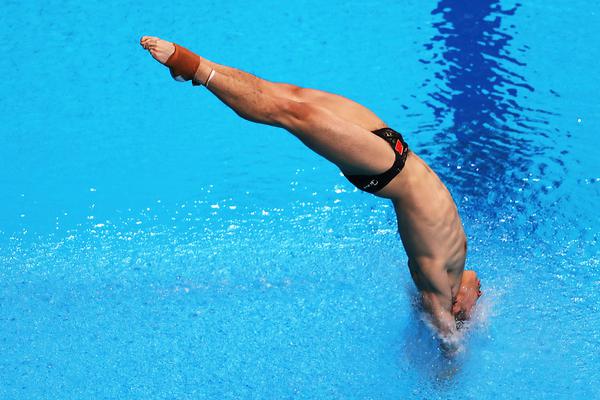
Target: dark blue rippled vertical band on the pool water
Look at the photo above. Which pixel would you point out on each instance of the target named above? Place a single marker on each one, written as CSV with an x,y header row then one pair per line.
x,y
485,136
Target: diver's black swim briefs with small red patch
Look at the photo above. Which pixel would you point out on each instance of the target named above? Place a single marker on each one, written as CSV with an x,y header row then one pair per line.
x,y
374,183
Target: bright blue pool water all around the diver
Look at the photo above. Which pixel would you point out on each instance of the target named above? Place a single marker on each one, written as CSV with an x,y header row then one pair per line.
x,y
154,245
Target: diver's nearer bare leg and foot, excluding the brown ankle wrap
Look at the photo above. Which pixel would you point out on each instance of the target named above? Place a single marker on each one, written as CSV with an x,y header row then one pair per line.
x,y
353,148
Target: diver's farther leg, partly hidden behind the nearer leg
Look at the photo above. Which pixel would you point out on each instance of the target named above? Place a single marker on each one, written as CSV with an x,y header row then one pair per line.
x,y
338,105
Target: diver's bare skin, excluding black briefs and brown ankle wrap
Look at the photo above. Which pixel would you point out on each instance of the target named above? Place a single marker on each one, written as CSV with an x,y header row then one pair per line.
x,y
339,129
